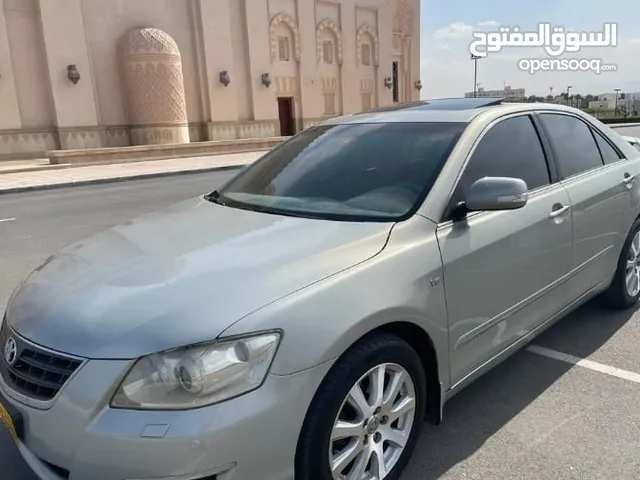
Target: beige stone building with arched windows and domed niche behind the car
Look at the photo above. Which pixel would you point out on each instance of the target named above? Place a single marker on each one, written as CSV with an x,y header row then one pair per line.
x,y
109,73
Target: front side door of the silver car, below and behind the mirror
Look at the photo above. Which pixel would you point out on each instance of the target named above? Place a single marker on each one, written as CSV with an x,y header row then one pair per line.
x,y
503,270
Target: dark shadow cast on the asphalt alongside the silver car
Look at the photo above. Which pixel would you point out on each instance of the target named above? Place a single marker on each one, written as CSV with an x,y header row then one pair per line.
x,y
484,407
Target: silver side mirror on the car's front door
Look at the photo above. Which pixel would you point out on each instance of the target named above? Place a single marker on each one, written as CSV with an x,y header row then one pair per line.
x,y
497,193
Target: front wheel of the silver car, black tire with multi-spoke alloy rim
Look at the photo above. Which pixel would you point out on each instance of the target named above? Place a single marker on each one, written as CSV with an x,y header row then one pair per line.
x,y
365,418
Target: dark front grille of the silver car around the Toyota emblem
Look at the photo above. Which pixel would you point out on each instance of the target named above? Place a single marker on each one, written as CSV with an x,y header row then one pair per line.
x,y
36,373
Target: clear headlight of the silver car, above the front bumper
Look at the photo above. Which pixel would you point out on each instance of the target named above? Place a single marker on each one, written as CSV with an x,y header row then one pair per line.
x,y
198,376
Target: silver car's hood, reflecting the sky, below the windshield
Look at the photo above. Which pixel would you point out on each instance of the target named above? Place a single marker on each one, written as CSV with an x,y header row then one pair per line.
x,y
179,277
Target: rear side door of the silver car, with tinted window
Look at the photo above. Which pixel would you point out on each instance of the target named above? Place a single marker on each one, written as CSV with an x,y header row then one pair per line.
x,y
599,182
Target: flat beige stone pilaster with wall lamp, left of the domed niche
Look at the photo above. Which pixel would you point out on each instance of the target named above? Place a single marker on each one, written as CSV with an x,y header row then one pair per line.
x,y
65,44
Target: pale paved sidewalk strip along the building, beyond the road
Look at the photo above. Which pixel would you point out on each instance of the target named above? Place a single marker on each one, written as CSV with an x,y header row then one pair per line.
x,y
55,178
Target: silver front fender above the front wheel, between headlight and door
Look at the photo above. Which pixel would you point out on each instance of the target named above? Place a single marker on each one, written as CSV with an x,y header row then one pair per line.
x,y
323,320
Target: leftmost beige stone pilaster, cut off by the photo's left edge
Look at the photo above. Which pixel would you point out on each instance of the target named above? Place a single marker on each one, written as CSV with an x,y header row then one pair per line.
x,y
10,117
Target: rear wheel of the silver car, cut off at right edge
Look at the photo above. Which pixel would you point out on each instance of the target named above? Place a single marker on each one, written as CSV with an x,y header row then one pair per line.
x,y
624,290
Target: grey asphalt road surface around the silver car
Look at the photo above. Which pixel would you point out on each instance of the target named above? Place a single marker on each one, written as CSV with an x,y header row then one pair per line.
x,y
533,417
